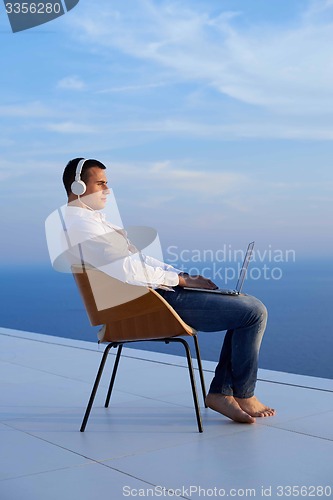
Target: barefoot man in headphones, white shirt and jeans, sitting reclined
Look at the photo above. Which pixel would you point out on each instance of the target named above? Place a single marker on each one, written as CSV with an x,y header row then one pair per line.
x,y
244,317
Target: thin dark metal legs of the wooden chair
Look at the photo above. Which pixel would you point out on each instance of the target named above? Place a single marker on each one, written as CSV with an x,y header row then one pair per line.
x,y
119,346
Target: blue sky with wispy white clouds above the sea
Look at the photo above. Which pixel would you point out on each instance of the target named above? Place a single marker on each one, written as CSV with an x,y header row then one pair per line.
x,y
214,118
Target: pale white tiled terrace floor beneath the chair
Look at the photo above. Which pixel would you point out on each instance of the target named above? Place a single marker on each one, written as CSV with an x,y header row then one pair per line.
x,y
147,440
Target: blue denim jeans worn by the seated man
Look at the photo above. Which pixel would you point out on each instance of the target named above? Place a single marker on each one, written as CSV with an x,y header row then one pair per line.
x,y
244,317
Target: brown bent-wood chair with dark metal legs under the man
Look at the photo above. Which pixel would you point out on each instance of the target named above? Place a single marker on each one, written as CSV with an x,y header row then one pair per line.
x,y
128,314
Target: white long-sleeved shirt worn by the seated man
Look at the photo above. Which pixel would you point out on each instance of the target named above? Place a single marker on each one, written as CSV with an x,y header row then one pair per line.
x,y
92,240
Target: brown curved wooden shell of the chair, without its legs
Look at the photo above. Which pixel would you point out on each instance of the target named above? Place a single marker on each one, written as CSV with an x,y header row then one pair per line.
x,y
129,312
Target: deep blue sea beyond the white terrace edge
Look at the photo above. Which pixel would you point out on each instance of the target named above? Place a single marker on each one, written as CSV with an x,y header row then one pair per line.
x,y
298,296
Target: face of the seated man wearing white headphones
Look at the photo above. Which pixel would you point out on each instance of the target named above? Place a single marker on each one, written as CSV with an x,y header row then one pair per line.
x,y
97,189
